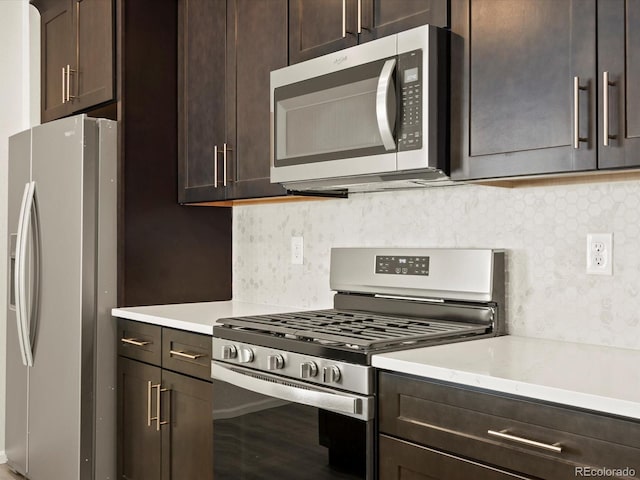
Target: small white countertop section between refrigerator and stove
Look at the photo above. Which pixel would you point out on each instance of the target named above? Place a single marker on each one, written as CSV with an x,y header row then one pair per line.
x,y
195,317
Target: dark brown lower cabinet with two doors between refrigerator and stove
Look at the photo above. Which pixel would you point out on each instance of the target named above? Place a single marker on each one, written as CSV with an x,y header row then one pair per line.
x,y
165,427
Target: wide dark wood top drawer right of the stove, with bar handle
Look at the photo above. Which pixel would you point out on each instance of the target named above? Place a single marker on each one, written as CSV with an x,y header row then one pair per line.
x,y
458,420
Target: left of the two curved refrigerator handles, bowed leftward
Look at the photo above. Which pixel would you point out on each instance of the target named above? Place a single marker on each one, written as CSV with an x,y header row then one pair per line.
x,y
21,287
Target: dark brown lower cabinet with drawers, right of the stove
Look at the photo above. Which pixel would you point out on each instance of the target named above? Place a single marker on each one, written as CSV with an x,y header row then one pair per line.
x,y
436,430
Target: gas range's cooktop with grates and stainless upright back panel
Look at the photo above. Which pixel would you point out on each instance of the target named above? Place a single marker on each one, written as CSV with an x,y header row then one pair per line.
x,y
459,297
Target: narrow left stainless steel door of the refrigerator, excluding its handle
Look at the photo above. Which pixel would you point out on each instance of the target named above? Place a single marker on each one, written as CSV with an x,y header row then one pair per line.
x,y
17,372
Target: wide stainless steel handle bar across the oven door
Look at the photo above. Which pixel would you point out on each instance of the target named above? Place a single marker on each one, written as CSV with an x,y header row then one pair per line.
x,y
292,391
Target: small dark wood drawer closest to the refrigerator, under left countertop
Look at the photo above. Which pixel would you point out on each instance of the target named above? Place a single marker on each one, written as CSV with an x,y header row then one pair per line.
x,y
140,341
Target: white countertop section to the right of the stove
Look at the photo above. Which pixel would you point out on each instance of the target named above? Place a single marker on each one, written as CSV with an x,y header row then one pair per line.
x,y
604,379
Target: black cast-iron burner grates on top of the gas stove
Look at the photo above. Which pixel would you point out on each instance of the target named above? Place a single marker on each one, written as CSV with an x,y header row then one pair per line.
x,y
356,329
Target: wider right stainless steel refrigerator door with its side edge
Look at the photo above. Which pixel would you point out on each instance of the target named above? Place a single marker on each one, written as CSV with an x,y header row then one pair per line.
x,y
64,169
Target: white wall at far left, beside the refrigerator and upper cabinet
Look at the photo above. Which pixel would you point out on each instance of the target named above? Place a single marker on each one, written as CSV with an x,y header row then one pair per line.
x,y
17,92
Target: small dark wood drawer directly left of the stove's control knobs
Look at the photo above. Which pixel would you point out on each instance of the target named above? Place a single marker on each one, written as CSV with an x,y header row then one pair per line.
x,y
186,352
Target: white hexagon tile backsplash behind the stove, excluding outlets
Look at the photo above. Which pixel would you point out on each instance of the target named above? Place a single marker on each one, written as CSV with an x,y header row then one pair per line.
x,y
543,230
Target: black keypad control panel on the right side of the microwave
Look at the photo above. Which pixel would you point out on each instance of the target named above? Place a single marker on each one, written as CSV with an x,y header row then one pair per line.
x,y
411,86
